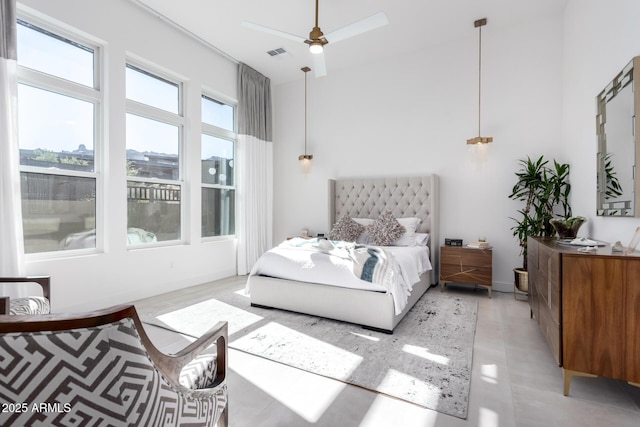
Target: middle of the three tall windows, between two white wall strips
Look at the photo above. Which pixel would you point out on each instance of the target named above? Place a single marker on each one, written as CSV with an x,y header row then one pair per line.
x,y
154,134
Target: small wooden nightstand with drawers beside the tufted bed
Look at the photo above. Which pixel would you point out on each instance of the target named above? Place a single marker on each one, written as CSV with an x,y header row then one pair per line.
x,y
461,264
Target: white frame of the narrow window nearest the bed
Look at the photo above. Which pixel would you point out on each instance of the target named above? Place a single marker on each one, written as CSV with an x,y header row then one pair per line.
x,y
231,135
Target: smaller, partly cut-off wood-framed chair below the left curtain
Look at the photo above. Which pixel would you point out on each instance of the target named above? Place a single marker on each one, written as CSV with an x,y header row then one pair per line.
x,y
30,304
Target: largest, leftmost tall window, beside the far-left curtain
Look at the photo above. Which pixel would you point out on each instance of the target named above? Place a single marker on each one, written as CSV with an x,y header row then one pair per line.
x,y
59,101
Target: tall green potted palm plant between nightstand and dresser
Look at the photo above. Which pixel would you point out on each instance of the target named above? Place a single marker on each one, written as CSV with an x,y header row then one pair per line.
x,y
544,190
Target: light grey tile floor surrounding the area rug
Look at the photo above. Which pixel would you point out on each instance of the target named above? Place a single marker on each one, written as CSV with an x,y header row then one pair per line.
x,y
515,381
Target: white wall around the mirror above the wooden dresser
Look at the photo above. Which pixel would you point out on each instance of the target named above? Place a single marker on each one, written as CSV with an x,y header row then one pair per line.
x,y
600,38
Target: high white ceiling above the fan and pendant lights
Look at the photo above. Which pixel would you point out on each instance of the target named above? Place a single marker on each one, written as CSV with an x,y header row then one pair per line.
x,y
413,25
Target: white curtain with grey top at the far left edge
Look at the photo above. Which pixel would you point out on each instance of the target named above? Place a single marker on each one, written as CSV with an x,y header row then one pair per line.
x,y
11,243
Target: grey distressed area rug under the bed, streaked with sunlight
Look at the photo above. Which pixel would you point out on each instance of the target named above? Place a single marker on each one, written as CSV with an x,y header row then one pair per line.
x,y
426,361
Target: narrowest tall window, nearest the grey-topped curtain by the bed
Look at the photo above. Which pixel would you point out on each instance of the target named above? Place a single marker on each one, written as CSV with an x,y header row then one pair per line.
x,y
218,176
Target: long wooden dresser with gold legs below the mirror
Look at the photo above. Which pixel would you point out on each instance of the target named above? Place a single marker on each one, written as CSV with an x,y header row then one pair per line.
x,y
588,308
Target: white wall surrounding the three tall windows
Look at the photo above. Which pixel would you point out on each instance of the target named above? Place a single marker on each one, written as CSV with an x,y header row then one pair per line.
x,y
119,275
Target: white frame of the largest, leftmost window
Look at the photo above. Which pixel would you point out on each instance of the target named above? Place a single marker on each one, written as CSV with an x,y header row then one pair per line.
x,y
94,95
